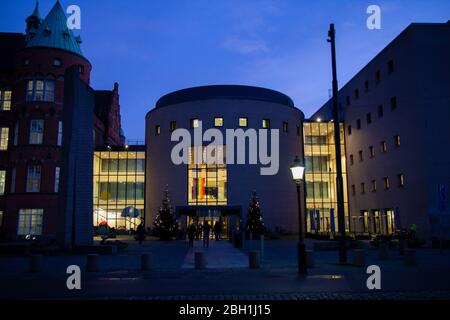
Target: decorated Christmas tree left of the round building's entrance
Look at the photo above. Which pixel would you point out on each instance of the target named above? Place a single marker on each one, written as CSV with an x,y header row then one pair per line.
x,y
165,224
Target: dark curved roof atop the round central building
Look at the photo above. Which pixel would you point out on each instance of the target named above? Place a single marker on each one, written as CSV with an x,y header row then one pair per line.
x,y
238,92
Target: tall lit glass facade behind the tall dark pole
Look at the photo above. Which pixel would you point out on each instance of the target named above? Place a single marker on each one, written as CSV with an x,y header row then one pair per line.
x,y
320,177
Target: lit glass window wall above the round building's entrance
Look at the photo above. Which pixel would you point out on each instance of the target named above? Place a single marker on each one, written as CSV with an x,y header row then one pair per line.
x,y
207,183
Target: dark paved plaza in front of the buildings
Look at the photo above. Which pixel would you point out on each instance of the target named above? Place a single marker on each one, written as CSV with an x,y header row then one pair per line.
x,y
227,275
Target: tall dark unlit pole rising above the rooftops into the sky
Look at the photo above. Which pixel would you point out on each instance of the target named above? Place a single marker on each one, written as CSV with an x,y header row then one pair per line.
x,y
337,141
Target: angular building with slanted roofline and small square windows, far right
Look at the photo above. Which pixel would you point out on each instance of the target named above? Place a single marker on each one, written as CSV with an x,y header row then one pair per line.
x,y
396,112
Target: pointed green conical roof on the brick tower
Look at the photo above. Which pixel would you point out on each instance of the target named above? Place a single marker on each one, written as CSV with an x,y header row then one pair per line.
x,y
54,33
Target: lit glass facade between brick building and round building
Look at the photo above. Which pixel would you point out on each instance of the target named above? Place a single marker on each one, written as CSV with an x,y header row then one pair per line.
x,y
119,177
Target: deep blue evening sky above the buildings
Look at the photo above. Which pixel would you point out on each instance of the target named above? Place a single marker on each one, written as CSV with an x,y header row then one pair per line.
x,y
152,47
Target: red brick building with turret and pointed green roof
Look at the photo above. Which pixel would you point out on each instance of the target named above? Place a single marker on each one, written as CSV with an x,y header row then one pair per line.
x,y
32,68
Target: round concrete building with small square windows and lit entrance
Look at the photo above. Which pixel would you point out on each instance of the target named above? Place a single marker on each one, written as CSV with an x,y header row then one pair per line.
x,y
261,123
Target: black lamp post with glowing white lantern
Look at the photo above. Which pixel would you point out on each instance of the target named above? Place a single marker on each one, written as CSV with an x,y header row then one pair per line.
x,y
298,170
